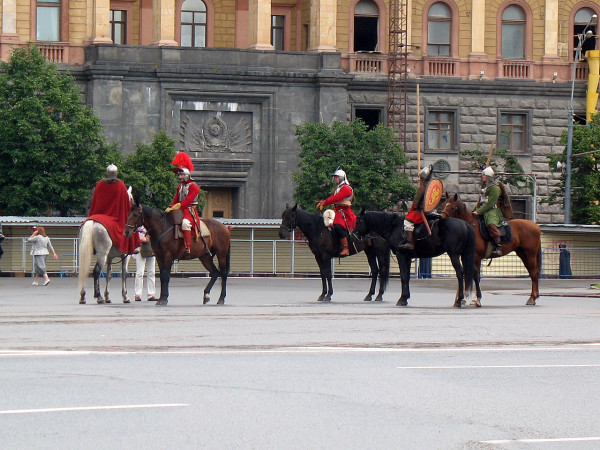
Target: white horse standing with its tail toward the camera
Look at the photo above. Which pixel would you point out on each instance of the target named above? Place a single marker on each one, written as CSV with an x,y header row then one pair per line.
x,y
94,238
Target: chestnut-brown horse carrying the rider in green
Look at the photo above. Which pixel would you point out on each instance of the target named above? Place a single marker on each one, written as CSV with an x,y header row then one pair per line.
x,y
526,243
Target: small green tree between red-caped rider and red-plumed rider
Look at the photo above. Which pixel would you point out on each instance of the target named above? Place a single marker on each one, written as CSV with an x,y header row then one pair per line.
x,y
149,172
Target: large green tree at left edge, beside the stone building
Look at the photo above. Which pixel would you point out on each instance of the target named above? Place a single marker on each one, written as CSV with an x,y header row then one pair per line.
x,y
51,146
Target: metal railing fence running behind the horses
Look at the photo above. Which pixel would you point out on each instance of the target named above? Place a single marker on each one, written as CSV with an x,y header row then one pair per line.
x,y
258,257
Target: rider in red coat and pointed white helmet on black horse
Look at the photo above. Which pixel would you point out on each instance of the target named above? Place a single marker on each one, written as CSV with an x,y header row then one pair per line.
x,y
345,219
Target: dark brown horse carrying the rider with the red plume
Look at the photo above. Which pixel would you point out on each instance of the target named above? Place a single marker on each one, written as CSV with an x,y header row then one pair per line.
x,y
167,249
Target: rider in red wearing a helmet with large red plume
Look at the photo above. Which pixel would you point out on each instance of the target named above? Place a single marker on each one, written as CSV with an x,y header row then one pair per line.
x,y
186,199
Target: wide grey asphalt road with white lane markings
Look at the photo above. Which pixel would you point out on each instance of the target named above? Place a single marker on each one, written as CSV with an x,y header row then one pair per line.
x,y
274,369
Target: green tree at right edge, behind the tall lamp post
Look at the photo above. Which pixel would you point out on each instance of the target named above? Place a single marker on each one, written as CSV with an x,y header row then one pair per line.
x,y
585,176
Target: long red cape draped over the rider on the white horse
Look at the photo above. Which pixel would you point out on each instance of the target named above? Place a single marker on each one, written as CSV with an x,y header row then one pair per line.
x,y
110,207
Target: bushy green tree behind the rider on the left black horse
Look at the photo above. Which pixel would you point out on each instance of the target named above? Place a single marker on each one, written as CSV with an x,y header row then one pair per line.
x,y
371,159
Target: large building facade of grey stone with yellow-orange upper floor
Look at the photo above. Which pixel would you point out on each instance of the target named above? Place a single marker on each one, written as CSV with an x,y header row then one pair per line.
x,y
230,80
